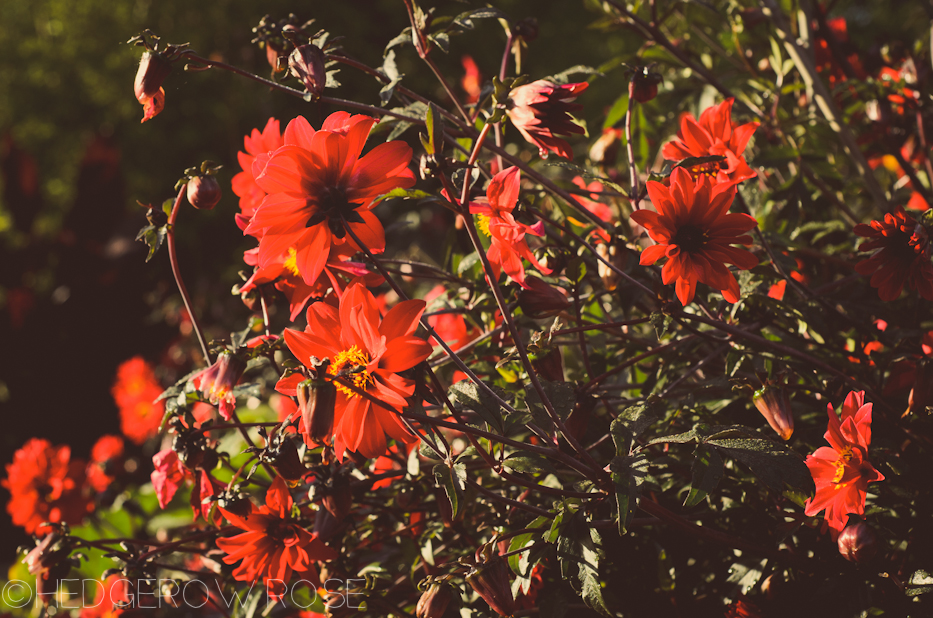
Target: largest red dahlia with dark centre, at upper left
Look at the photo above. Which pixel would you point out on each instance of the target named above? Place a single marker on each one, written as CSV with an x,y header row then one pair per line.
x,y
317,183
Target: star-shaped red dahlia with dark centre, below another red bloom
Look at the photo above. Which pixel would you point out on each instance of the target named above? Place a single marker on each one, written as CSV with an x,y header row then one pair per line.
x,y
695,232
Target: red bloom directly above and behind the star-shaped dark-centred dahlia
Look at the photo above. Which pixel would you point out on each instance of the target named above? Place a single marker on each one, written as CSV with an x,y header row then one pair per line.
x,y
714,135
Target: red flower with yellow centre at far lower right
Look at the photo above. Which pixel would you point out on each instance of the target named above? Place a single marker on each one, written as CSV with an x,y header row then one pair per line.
x,y
841,471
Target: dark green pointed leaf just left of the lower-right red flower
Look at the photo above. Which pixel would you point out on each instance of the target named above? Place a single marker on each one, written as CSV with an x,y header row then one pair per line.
x,y
773,463
